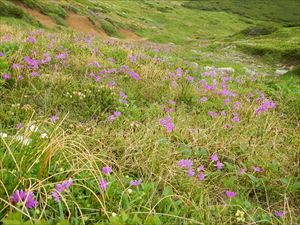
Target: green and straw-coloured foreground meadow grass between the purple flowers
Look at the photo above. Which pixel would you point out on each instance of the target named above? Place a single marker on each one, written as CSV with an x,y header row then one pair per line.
x,y
136,145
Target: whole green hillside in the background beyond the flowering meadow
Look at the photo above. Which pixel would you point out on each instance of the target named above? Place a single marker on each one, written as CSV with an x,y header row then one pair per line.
x,y
158,21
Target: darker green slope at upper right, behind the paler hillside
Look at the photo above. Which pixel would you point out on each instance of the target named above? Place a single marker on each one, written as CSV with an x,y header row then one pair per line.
x,y
269,34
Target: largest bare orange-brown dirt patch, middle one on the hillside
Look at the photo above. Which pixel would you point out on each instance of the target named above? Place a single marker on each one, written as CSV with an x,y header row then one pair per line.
x,y
83,24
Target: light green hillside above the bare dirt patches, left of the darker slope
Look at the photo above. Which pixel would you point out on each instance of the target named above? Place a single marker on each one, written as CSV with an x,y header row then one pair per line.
x,y
156,20
